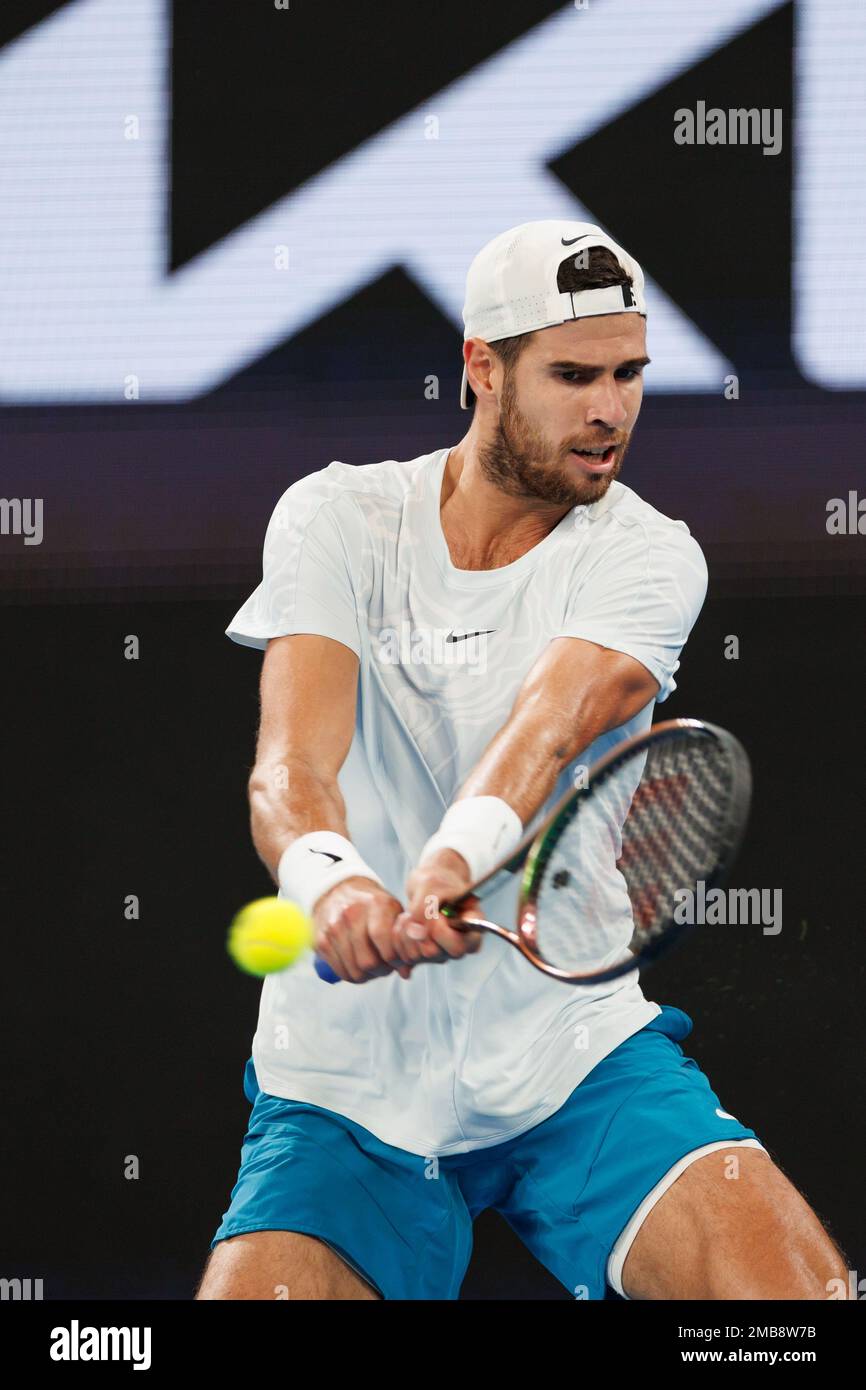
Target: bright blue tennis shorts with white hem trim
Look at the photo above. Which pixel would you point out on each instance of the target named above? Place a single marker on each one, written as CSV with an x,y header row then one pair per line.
x,y
575,1188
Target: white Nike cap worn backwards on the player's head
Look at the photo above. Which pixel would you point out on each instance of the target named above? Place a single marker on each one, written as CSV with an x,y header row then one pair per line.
x,y
511,287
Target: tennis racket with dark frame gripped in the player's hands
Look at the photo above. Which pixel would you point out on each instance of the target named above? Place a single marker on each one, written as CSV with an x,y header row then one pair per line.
x,y
610,872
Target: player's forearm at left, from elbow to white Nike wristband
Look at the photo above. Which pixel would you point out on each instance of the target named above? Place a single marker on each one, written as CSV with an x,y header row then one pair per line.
x,y
288,800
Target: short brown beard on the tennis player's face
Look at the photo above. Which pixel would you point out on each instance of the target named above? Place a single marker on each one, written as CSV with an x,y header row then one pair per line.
x,y
519,461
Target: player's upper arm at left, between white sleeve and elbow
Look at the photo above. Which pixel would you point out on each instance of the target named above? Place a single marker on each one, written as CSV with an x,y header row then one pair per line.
x,y
309,700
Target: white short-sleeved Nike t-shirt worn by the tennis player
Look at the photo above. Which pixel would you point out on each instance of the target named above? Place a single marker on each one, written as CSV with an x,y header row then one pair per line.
x,y
472,1053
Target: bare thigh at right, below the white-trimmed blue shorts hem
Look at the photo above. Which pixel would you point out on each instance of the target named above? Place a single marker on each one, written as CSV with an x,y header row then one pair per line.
x,y
732,1227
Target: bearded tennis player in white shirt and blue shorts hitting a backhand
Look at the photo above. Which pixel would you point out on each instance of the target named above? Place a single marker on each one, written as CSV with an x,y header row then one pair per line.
x,y
448,643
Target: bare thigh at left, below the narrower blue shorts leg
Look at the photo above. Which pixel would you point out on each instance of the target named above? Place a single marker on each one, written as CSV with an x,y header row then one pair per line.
x,y
279,1264
